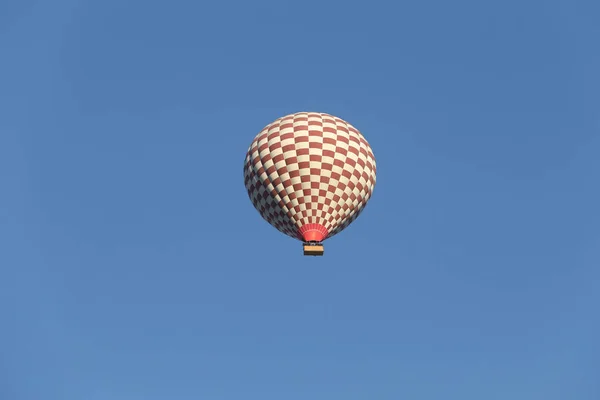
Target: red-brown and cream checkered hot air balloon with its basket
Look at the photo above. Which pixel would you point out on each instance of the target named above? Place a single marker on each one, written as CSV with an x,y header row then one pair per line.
x,y
309,175
